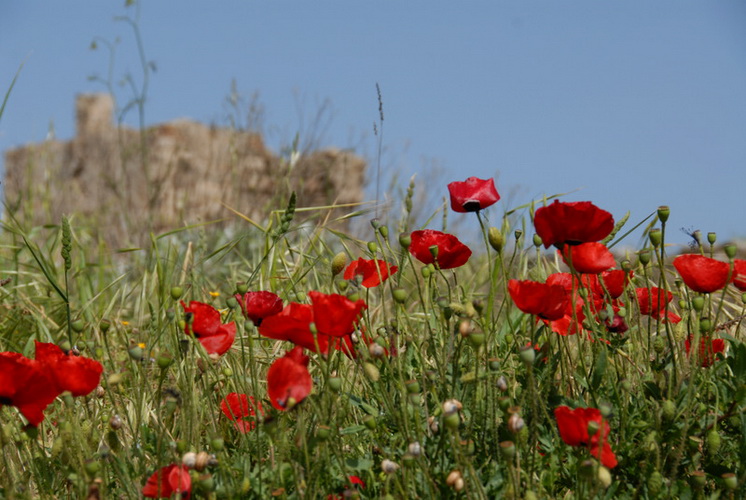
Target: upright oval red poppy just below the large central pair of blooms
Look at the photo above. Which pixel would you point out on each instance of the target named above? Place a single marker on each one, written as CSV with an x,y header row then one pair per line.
x,y
288,380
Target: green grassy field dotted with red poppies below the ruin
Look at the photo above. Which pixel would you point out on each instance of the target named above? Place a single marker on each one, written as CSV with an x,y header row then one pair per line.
x,y
425,370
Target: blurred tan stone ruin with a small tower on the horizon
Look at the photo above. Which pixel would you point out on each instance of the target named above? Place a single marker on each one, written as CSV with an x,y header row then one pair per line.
x,y
130,182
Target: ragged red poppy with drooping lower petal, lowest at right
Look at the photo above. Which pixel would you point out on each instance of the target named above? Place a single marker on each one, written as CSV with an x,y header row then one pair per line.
x,y
573,429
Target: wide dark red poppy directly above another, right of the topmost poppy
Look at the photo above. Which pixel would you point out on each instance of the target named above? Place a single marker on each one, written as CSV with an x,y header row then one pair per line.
x,y
571,223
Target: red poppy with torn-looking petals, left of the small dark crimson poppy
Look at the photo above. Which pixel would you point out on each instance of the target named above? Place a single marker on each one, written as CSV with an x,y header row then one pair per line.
x,y
203,321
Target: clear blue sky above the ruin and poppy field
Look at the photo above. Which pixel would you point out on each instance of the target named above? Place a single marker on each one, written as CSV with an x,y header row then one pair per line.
x,y
636,103
